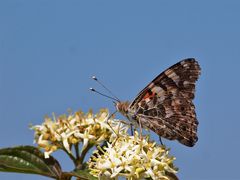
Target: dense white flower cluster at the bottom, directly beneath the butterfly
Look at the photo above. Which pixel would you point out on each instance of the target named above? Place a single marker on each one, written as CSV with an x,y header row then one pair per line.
x,y
133,158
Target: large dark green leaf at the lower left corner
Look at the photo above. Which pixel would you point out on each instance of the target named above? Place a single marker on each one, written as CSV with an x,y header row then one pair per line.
x,y
28,159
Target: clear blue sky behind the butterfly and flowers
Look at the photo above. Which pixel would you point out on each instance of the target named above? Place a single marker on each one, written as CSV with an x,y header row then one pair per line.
x,y
50,49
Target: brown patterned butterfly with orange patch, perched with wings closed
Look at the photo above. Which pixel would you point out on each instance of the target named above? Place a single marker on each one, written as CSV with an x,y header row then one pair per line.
x,y
165,105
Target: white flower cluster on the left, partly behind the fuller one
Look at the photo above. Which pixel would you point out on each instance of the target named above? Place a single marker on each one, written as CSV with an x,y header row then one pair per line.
x,y
67,130
